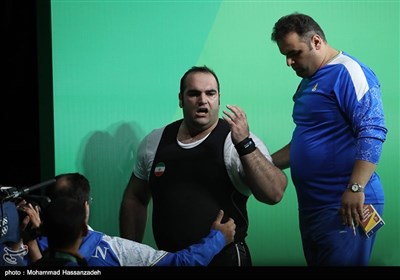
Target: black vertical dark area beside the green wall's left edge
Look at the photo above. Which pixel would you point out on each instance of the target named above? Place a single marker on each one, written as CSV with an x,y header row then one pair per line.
x,y
27,146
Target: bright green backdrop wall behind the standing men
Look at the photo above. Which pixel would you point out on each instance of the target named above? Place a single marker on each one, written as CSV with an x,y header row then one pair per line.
x,y
116,71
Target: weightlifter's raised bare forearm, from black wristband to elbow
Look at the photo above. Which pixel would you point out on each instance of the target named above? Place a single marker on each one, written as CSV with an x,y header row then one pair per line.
x,y
266,181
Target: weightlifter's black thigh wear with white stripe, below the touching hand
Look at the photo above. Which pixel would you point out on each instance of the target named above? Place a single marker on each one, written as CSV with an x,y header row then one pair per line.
x,y
234,254
